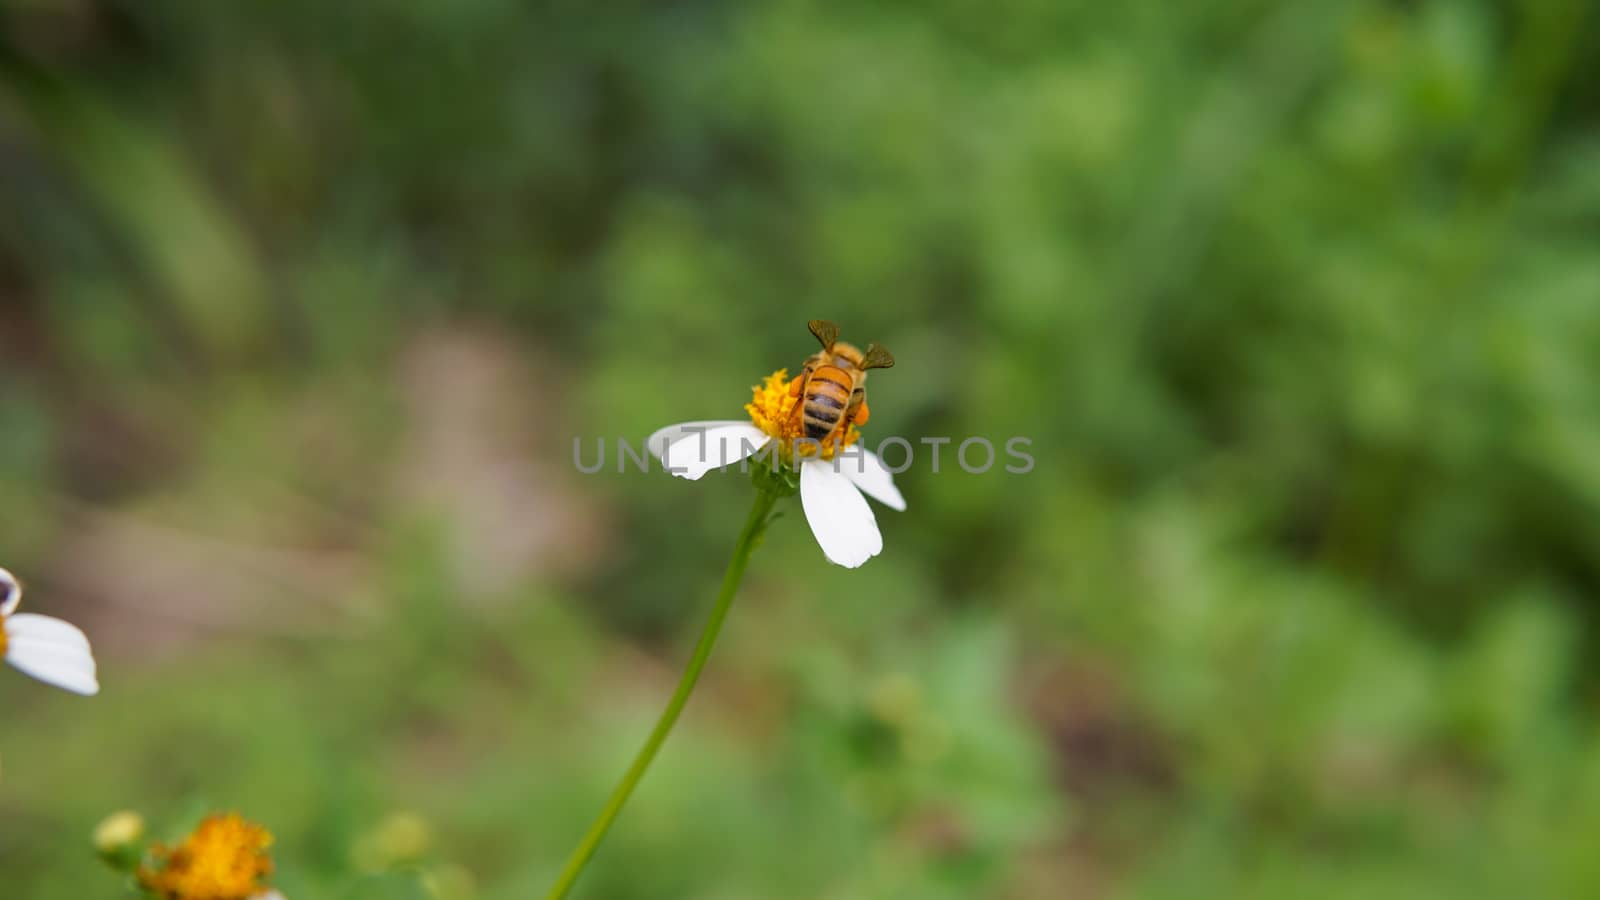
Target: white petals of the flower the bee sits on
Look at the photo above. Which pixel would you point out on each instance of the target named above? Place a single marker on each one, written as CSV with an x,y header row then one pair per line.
x,y
830,491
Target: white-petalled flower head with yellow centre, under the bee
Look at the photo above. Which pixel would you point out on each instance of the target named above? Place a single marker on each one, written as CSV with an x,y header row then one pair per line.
x,y
833,476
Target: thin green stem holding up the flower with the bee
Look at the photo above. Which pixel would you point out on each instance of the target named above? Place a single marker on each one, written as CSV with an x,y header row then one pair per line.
x,y
730,585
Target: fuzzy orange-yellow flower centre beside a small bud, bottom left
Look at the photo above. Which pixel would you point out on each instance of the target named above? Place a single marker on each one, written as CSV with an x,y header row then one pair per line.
x,y
225,859
